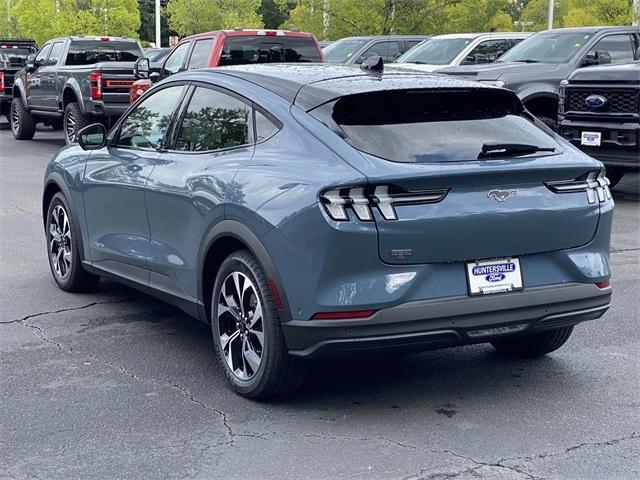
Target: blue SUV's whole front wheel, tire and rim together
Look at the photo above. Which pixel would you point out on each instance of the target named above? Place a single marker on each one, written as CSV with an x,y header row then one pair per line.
x,y
62,246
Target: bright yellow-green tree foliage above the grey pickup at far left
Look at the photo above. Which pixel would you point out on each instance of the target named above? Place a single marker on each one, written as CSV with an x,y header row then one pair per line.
x,y
45,19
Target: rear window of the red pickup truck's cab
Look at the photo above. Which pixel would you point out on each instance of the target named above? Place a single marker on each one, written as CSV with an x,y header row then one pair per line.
x,y
245,49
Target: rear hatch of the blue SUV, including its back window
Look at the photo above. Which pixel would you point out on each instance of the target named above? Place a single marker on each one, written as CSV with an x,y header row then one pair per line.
x,y
423,154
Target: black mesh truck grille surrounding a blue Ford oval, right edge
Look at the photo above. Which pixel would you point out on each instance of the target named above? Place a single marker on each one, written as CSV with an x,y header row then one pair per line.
x,y
619,100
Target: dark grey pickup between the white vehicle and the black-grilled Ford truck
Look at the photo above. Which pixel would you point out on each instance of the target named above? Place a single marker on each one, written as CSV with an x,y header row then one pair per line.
x,y
535,67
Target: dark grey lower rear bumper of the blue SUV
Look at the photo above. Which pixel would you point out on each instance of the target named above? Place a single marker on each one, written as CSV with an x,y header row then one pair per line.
x,y
452,321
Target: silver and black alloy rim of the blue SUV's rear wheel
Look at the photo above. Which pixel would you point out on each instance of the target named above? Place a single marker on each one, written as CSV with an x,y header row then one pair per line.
x,y
241,326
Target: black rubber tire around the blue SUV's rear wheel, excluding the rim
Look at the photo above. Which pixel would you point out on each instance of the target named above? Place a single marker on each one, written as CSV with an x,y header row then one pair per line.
x,y
278,373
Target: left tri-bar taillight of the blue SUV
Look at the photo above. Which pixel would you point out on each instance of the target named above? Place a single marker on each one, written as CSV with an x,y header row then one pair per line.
x,y
363,200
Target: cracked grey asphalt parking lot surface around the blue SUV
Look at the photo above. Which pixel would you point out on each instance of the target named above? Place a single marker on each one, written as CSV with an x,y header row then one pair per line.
x,y
115,384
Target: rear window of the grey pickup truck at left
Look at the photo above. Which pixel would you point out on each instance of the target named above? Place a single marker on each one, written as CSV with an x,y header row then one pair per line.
x,y
95,51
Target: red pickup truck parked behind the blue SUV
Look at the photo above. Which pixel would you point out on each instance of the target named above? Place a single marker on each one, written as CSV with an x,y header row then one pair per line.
x,y
234,47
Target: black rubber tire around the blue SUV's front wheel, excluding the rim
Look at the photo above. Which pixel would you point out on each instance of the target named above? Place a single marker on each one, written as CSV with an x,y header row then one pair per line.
x,y
76,278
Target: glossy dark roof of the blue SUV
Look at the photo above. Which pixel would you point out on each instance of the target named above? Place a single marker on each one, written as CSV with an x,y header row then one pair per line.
x,y
312,84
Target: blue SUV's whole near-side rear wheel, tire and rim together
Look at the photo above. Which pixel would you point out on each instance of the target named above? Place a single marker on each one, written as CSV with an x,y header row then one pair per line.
x,y
246,331
